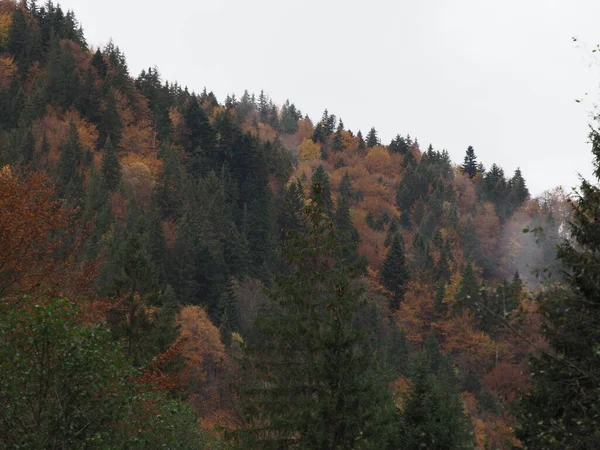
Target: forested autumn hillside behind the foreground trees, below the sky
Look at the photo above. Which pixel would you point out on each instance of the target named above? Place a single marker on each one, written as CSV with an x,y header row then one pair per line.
x,y
168,210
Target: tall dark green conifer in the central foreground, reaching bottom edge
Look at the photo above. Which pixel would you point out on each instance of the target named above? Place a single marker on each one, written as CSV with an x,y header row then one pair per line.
x,y
312,382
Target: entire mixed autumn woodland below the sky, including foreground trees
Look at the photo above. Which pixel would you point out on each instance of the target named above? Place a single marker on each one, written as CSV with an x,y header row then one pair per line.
x,y
179,272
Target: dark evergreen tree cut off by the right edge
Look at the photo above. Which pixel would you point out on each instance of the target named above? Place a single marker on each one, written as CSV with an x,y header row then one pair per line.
x,y
563,408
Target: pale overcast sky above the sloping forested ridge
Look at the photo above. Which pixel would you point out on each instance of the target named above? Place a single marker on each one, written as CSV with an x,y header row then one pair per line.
x,y
500,76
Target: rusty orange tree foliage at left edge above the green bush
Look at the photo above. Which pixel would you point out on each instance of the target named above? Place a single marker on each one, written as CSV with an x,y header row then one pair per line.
x,y
34,226
